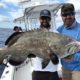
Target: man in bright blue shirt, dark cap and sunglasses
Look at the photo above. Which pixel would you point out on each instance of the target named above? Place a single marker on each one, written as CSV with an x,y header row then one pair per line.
x,y
71,28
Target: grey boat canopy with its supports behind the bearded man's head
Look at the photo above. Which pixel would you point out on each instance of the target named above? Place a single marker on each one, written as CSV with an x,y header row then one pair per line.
x,y
31,15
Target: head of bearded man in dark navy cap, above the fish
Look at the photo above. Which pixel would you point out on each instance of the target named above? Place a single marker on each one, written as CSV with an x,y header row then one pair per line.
x,y
45,18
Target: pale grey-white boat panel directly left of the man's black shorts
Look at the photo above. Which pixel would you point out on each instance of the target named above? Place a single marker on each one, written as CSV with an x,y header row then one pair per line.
x,y
24,72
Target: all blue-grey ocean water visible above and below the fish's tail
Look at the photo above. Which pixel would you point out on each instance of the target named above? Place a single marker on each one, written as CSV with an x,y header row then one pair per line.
x,y
4,34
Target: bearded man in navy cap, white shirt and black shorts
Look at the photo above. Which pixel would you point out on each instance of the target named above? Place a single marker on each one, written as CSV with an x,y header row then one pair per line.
x,y
49,72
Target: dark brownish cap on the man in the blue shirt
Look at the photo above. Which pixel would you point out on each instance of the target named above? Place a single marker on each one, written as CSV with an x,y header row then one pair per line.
x,y
67,8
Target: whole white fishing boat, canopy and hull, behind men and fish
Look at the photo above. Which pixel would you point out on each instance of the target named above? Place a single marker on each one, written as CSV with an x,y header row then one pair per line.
x,y
30,19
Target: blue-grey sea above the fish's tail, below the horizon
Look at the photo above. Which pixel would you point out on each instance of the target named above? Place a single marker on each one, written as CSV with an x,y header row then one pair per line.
x,y
4,34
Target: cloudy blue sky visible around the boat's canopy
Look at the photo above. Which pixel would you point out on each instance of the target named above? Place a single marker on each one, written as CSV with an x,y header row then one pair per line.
x,y
10,9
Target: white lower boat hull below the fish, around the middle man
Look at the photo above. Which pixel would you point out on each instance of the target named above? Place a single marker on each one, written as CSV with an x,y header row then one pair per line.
x,y
21,72
